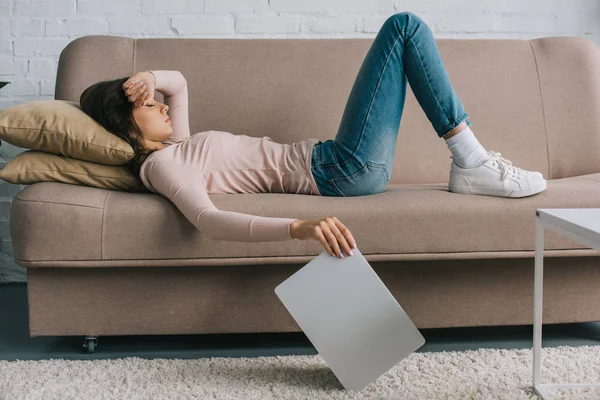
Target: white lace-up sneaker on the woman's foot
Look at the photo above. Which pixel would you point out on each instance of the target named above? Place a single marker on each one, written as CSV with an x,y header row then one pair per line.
x,y
495,177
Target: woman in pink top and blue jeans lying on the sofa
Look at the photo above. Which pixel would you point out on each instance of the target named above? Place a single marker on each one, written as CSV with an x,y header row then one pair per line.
x,y
185,168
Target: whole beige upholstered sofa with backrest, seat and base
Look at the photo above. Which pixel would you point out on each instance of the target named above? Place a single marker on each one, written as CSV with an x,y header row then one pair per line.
x,y
103,262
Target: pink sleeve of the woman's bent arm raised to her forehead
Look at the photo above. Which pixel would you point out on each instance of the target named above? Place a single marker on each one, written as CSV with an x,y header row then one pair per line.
x,y
173,86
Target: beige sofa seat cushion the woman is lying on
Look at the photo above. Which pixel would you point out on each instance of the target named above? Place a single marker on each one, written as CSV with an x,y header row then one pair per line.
x,y
58,224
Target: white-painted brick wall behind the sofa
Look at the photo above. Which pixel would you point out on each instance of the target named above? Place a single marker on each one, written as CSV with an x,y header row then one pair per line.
x,y
33,33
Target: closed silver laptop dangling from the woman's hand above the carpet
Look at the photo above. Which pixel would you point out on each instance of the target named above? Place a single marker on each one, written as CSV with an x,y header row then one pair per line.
x,y
350,317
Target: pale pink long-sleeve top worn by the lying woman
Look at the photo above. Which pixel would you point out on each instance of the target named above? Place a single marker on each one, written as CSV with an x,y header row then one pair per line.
x,y
191,167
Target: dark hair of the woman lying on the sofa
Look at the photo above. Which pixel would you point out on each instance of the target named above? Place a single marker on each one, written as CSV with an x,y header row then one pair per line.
x,y
107,103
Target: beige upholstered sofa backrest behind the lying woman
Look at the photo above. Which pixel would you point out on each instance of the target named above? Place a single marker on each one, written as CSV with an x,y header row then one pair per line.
x,y
537,102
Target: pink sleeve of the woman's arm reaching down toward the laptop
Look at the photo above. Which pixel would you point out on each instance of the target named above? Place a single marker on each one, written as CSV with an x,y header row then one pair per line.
x,y
185,187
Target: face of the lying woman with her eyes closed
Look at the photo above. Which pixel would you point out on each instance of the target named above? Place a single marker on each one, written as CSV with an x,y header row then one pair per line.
x,y
152,120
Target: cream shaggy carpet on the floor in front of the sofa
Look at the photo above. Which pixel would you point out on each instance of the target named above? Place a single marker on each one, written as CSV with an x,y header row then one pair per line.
x,y
476,374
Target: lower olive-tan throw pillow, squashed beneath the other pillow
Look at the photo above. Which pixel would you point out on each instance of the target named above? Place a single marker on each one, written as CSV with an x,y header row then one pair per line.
x,y
35,166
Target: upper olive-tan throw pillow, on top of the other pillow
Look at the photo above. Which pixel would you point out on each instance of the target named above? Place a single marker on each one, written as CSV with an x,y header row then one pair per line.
x,y
60,127
